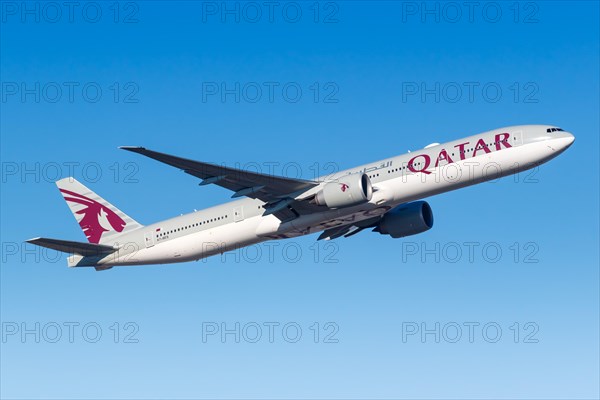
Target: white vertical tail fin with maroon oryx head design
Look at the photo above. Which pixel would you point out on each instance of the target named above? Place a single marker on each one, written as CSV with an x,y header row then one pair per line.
x,y
99,219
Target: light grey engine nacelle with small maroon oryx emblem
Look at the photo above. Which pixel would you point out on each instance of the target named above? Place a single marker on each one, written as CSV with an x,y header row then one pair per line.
x,y
349,190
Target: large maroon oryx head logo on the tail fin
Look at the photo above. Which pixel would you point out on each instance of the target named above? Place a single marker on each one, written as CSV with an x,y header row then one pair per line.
x,y
90,223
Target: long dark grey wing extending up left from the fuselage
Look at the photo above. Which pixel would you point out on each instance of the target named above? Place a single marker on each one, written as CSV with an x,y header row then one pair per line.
x,y
278,192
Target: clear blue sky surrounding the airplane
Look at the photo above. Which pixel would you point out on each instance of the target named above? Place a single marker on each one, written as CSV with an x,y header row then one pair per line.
x,y
300,89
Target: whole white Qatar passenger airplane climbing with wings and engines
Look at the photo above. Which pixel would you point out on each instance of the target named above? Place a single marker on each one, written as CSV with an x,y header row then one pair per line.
x,y
385,195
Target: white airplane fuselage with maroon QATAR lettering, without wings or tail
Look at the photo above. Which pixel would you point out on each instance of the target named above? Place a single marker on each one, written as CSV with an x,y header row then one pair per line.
x,y
397,180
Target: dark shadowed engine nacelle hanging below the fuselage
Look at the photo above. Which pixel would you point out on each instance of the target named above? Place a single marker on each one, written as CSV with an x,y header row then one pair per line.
x,y
406,219
